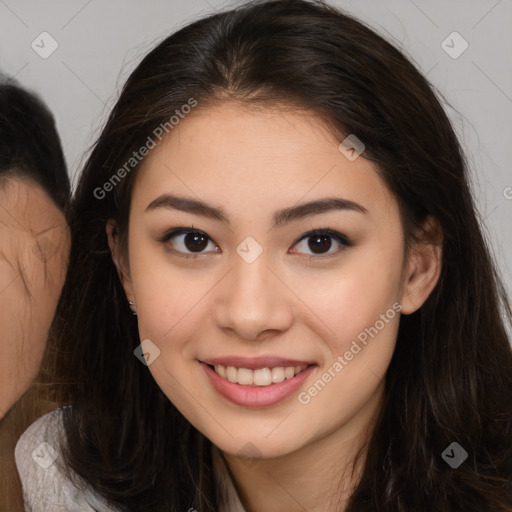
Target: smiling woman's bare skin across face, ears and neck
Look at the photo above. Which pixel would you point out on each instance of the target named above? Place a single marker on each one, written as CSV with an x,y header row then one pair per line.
x,y
253,163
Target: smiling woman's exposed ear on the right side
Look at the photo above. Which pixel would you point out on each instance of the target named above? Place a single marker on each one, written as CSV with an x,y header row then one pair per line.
x,y
423,267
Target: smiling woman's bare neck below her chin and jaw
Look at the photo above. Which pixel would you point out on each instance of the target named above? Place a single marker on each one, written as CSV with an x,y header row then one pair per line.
x,y
318,477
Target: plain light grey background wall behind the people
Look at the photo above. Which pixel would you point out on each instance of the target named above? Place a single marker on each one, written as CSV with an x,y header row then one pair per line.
x,y
100,42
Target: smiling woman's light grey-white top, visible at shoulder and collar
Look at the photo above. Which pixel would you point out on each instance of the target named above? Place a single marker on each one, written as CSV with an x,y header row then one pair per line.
x,y
47,488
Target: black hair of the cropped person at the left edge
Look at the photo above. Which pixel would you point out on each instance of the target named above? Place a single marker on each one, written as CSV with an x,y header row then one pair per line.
x,y
30,145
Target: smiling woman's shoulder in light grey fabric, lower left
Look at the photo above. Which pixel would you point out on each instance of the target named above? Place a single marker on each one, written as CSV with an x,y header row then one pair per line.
x,y
45,482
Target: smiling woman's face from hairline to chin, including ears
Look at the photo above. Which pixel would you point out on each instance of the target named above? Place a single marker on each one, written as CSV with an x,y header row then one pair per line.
x,y
250,292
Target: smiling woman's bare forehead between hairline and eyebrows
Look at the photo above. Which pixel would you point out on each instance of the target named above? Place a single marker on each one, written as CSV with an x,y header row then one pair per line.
x,y
248,158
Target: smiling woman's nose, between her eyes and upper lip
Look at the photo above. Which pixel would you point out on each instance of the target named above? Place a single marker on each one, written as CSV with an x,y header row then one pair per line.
x,y
252,300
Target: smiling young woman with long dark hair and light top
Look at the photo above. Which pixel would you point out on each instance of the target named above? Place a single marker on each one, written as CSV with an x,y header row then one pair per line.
x,y
279,295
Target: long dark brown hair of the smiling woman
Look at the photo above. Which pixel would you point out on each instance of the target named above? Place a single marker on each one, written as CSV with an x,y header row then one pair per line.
x,y
450,377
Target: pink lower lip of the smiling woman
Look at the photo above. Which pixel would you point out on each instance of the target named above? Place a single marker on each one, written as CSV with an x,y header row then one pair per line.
x,y
256,396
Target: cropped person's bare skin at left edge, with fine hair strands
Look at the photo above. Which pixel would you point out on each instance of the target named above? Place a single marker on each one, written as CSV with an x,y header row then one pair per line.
x,y
34,250
